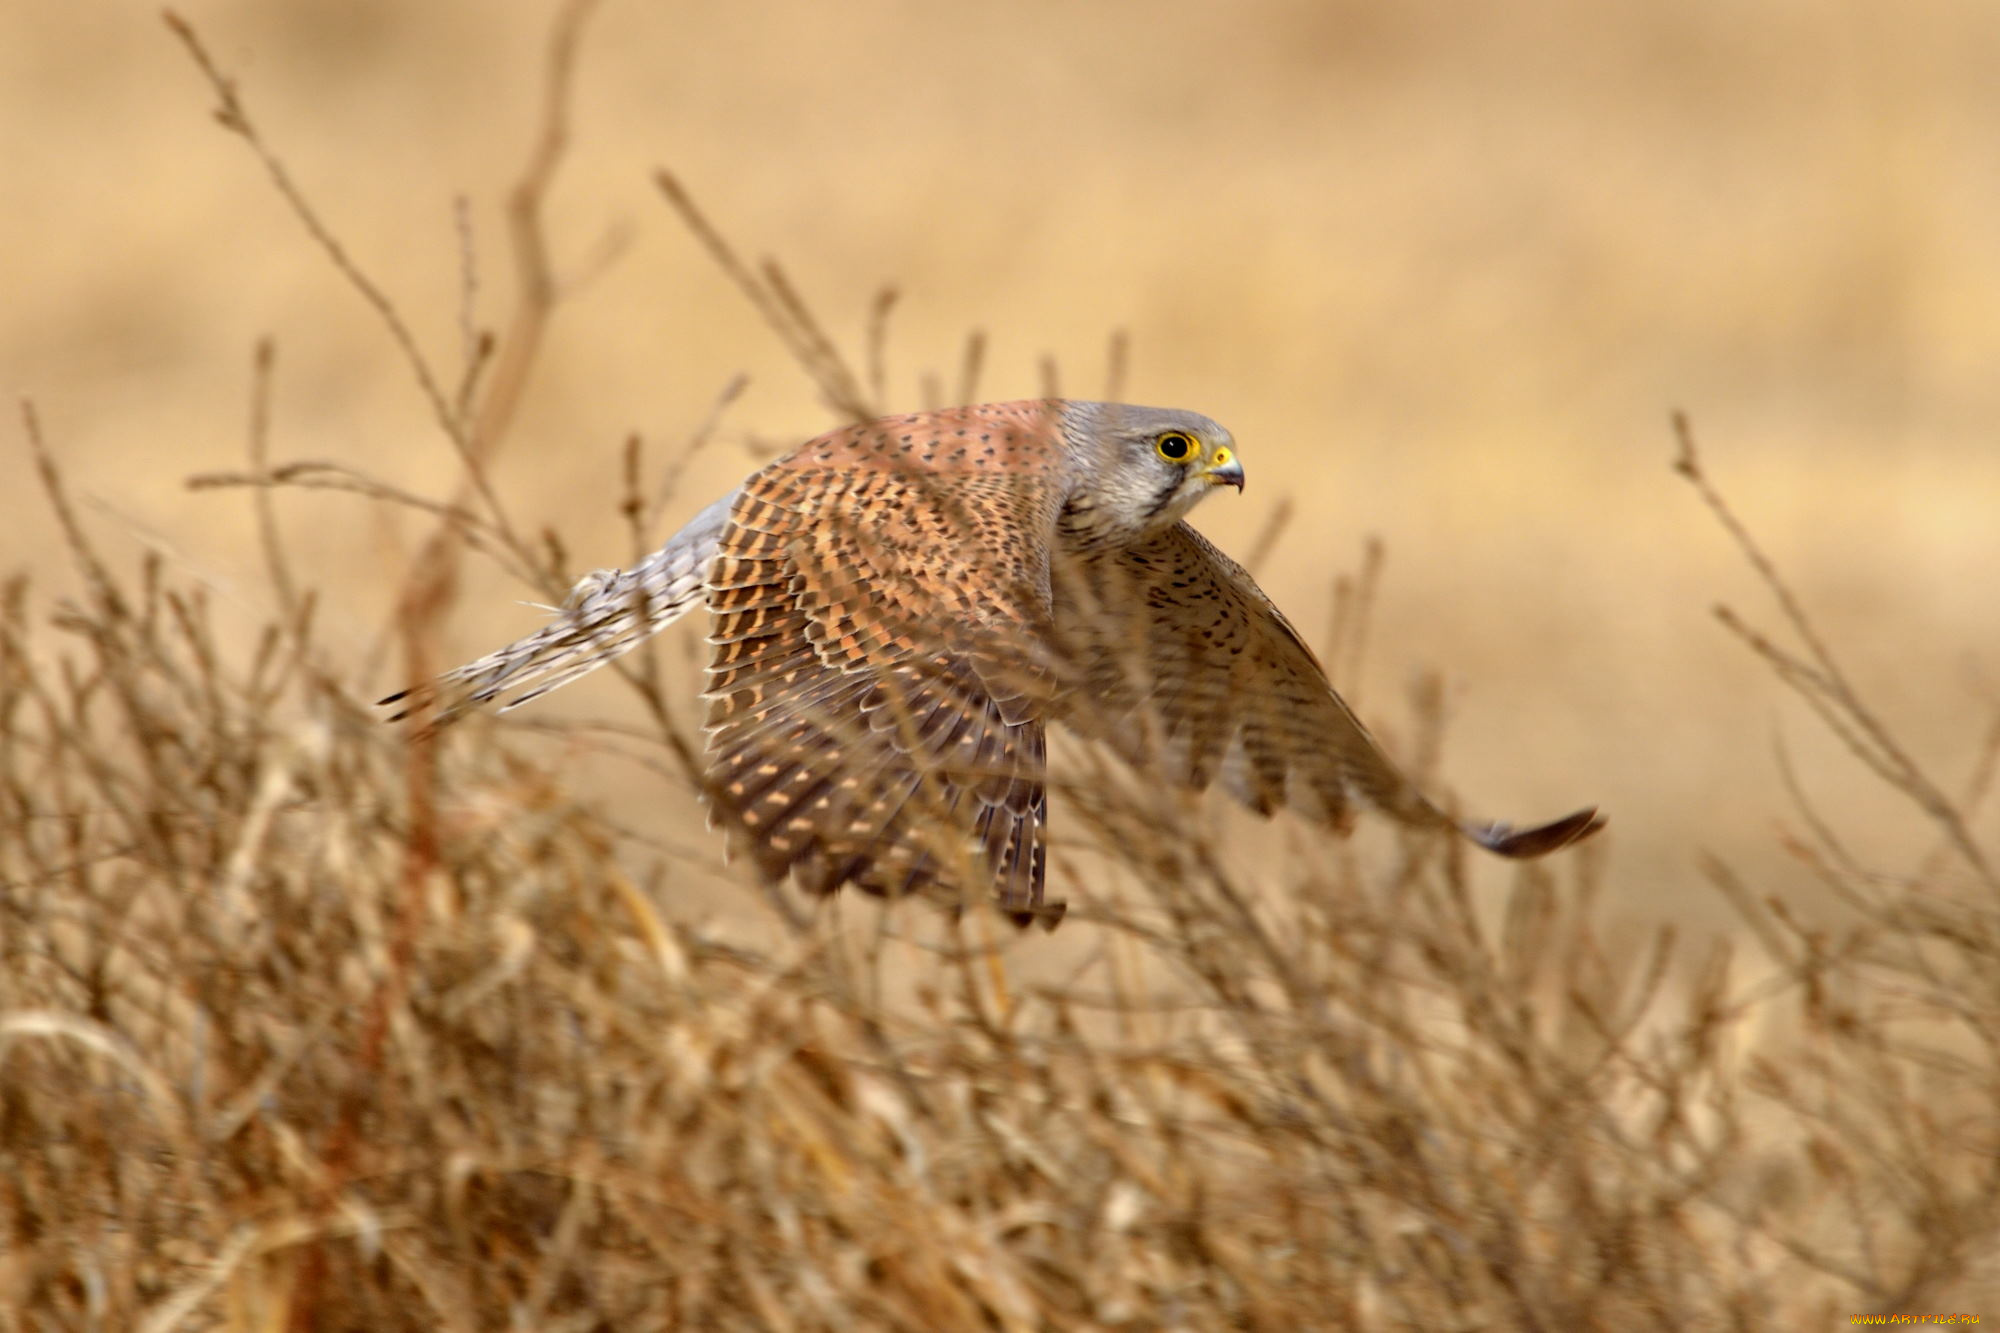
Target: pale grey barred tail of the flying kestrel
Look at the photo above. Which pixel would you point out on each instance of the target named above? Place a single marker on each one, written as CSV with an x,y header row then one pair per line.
x,y
609,613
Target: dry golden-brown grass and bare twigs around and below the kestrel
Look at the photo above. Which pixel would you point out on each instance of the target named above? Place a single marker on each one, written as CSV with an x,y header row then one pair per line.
x,y
305,1024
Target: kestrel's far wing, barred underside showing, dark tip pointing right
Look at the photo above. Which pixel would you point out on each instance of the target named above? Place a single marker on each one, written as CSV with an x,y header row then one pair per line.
x,y
1183,659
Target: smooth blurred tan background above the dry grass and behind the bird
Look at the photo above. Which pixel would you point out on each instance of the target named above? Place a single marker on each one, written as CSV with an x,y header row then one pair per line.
x,y
1443,267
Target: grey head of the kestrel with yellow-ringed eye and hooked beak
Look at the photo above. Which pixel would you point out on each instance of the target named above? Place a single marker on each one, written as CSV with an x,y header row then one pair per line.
x,y
1147,467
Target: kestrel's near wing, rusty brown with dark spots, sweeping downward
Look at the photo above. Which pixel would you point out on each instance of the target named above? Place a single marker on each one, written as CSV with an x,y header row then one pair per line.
x,y
875,696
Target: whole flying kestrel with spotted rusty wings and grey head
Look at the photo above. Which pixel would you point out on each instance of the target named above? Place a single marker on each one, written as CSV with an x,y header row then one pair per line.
x,y
899,609
